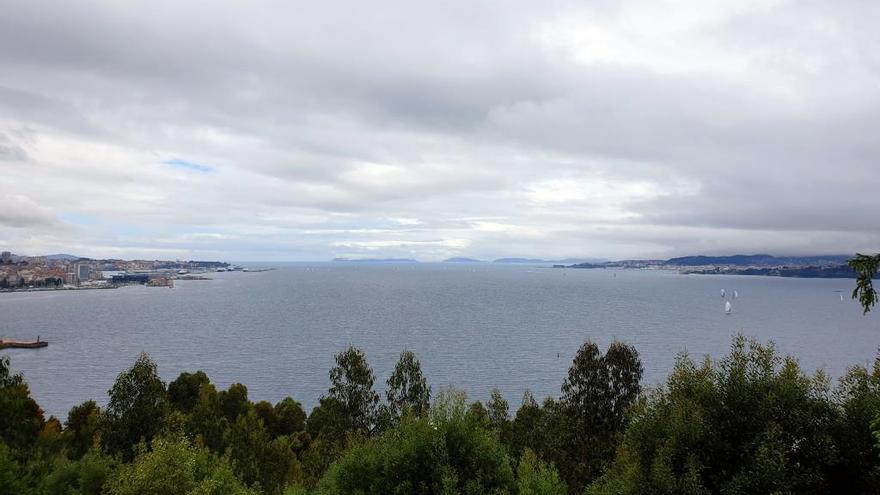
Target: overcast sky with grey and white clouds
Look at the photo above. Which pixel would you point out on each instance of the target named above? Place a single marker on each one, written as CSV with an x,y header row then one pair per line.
x,y
284,130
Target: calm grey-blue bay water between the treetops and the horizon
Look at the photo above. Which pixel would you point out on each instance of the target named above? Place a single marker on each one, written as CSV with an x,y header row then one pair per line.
x,y
474,326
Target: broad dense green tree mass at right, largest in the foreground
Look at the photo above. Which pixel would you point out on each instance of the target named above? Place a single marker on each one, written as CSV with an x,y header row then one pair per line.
x,y
753,423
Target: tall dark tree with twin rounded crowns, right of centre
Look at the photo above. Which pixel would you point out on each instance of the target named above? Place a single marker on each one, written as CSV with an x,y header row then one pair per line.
x,y
596,396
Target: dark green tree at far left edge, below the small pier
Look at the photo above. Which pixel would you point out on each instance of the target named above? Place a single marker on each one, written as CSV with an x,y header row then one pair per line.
x,y
21,419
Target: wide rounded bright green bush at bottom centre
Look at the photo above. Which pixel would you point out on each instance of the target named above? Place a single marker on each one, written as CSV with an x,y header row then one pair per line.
x,y
443,453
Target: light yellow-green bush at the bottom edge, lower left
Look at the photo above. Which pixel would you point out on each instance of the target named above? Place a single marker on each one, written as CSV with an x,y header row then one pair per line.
x,y
175,467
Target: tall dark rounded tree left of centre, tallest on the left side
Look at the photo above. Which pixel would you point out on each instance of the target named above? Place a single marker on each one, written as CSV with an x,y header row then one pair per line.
x,y
137,405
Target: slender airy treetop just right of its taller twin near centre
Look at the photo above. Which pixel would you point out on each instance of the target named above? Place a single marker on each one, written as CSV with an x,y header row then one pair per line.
x,y
408,391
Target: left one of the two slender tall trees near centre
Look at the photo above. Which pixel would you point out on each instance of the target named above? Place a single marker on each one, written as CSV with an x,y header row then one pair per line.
x,y
352,385
